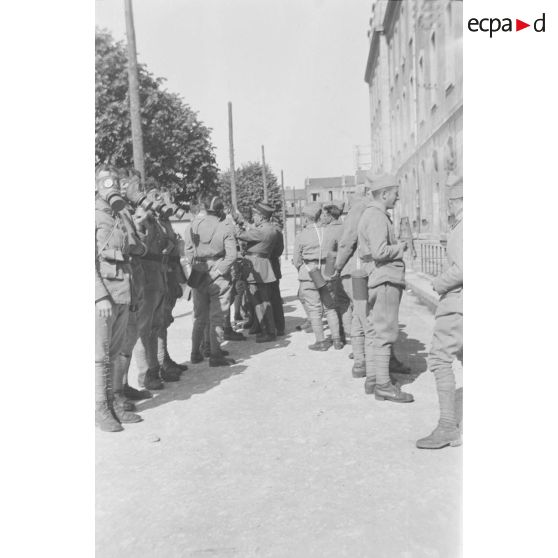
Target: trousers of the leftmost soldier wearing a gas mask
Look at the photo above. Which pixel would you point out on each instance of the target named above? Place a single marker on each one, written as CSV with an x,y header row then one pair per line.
x,y
109,336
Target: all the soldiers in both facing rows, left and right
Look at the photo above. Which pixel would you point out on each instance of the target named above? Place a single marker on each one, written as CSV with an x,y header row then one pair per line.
x,y
351,272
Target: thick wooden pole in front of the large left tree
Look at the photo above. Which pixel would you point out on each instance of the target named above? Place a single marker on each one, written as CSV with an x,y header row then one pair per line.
x,y
133,84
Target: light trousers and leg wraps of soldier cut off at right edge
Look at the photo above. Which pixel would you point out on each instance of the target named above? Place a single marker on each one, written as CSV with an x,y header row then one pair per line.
x,y
447,344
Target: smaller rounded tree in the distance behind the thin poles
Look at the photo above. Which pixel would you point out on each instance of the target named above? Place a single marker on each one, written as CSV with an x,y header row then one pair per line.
x,y
249,189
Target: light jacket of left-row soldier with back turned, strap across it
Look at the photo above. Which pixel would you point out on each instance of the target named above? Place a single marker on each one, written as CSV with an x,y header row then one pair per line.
x,y
210,245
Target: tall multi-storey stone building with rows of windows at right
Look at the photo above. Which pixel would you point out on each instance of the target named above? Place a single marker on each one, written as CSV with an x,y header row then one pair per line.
x,y
414,74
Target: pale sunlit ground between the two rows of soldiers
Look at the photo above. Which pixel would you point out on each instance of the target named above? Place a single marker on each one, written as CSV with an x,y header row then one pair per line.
x,y
281,455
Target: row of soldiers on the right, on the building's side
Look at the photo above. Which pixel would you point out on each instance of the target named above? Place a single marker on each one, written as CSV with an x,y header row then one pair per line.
x,y
352,273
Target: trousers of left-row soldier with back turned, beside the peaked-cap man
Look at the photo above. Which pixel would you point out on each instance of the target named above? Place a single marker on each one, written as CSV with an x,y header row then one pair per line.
x,y
211,301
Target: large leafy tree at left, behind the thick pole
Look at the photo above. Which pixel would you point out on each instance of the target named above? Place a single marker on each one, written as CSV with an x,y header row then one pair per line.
x,y
178,150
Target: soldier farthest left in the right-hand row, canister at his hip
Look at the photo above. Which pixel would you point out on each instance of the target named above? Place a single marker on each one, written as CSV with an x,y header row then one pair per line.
x,y
309,259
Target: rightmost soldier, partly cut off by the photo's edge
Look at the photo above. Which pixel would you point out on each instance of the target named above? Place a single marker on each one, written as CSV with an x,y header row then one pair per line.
x,y
447,339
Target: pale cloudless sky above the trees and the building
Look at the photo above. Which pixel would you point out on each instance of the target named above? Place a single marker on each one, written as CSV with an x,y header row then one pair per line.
x,y
293,70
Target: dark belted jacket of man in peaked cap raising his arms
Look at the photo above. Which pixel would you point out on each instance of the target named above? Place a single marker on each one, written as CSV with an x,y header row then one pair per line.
x,y
260,242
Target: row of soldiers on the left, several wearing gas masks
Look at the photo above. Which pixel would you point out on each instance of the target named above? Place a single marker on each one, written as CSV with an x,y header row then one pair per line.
x,y
141,269
